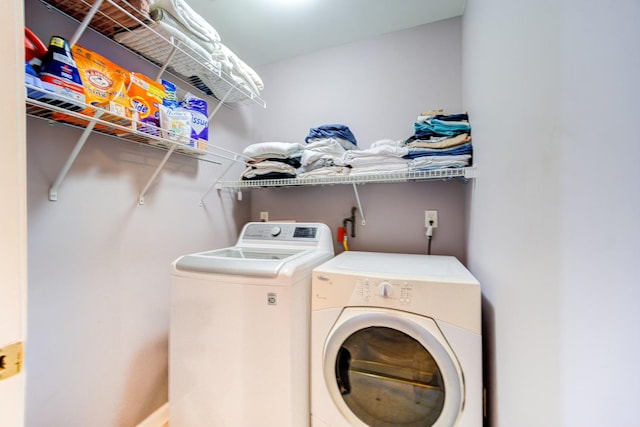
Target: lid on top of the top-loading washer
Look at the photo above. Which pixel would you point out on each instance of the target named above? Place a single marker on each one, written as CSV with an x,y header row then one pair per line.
x,y
239,261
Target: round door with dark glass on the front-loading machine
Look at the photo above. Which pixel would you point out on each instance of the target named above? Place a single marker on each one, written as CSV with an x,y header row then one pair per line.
x,y
387,368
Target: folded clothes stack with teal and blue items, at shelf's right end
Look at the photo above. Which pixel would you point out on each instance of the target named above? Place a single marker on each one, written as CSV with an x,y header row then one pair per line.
x,y
440,140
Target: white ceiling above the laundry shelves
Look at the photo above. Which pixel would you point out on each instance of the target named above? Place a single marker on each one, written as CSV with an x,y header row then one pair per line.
x,y
265,31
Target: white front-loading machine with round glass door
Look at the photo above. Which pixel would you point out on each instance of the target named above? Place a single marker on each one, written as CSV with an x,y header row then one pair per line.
x,y
395,341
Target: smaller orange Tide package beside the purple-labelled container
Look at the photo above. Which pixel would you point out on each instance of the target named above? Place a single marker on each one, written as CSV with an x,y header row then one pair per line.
x,y
145,96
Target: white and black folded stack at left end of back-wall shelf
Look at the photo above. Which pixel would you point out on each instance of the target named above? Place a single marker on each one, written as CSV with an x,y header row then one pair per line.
x,y
272,160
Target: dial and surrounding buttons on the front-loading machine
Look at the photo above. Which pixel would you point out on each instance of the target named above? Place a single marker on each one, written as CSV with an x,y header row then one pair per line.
x,y
383,291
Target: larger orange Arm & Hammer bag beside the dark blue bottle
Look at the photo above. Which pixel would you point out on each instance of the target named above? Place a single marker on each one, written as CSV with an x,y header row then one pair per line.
x,y
105,85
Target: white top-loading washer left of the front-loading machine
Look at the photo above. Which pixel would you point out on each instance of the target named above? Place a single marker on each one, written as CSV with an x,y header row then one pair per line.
x,y
239,334
